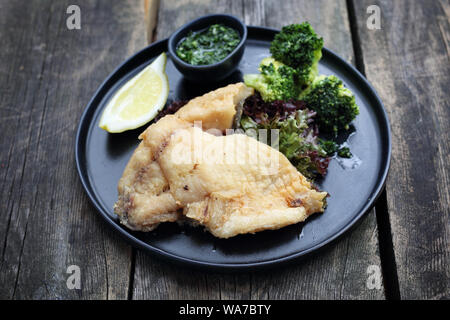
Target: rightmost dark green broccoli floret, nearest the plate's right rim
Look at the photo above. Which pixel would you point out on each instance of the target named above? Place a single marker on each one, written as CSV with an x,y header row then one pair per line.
x,y
335,105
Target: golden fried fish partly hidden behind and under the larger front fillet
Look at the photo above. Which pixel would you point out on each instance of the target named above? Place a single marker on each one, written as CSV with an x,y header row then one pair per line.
x,y
144,199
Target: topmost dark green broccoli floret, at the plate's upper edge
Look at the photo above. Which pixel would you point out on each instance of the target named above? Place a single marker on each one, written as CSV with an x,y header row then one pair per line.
x,y
298,46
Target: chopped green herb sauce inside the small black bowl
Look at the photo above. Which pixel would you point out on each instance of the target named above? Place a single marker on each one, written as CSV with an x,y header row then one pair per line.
x,y
208,46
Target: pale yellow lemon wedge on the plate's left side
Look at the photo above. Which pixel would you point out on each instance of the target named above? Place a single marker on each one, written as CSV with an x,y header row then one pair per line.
x,y
139,100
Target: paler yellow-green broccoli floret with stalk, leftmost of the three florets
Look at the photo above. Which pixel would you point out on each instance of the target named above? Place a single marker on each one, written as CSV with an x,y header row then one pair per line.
x,y
275,82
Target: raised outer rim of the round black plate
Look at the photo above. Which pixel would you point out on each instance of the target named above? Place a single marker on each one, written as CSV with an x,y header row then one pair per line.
x,y
137,243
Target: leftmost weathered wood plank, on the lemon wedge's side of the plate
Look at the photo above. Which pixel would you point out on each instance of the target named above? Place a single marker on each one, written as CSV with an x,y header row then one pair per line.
x,y
47,75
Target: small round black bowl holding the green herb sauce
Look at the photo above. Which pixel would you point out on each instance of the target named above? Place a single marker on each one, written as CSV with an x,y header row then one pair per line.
x,y
218,70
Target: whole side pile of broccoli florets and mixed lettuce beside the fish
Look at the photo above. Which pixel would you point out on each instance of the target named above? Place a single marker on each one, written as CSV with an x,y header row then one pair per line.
x,y
291,97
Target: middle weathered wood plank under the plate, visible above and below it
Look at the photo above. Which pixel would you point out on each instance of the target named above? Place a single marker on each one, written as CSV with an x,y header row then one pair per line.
x,y
337,272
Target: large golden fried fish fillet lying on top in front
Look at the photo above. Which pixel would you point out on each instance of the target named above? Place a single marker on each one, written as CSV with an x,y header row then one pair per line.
x,y
230,184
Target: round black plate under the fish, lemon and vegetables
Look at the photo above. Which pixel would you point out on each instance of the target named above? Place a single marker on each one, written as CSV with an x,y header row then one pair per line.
x,y
101,158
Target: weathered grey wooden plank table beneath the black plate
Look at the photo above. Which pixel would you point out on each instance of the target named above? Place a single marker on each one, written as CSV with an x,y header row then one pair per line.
x,y
48,73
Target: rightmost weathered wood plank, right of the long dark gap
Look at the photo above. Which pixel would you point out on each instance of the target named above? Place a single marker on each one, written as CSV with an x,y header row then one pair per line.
x,y
407,60
